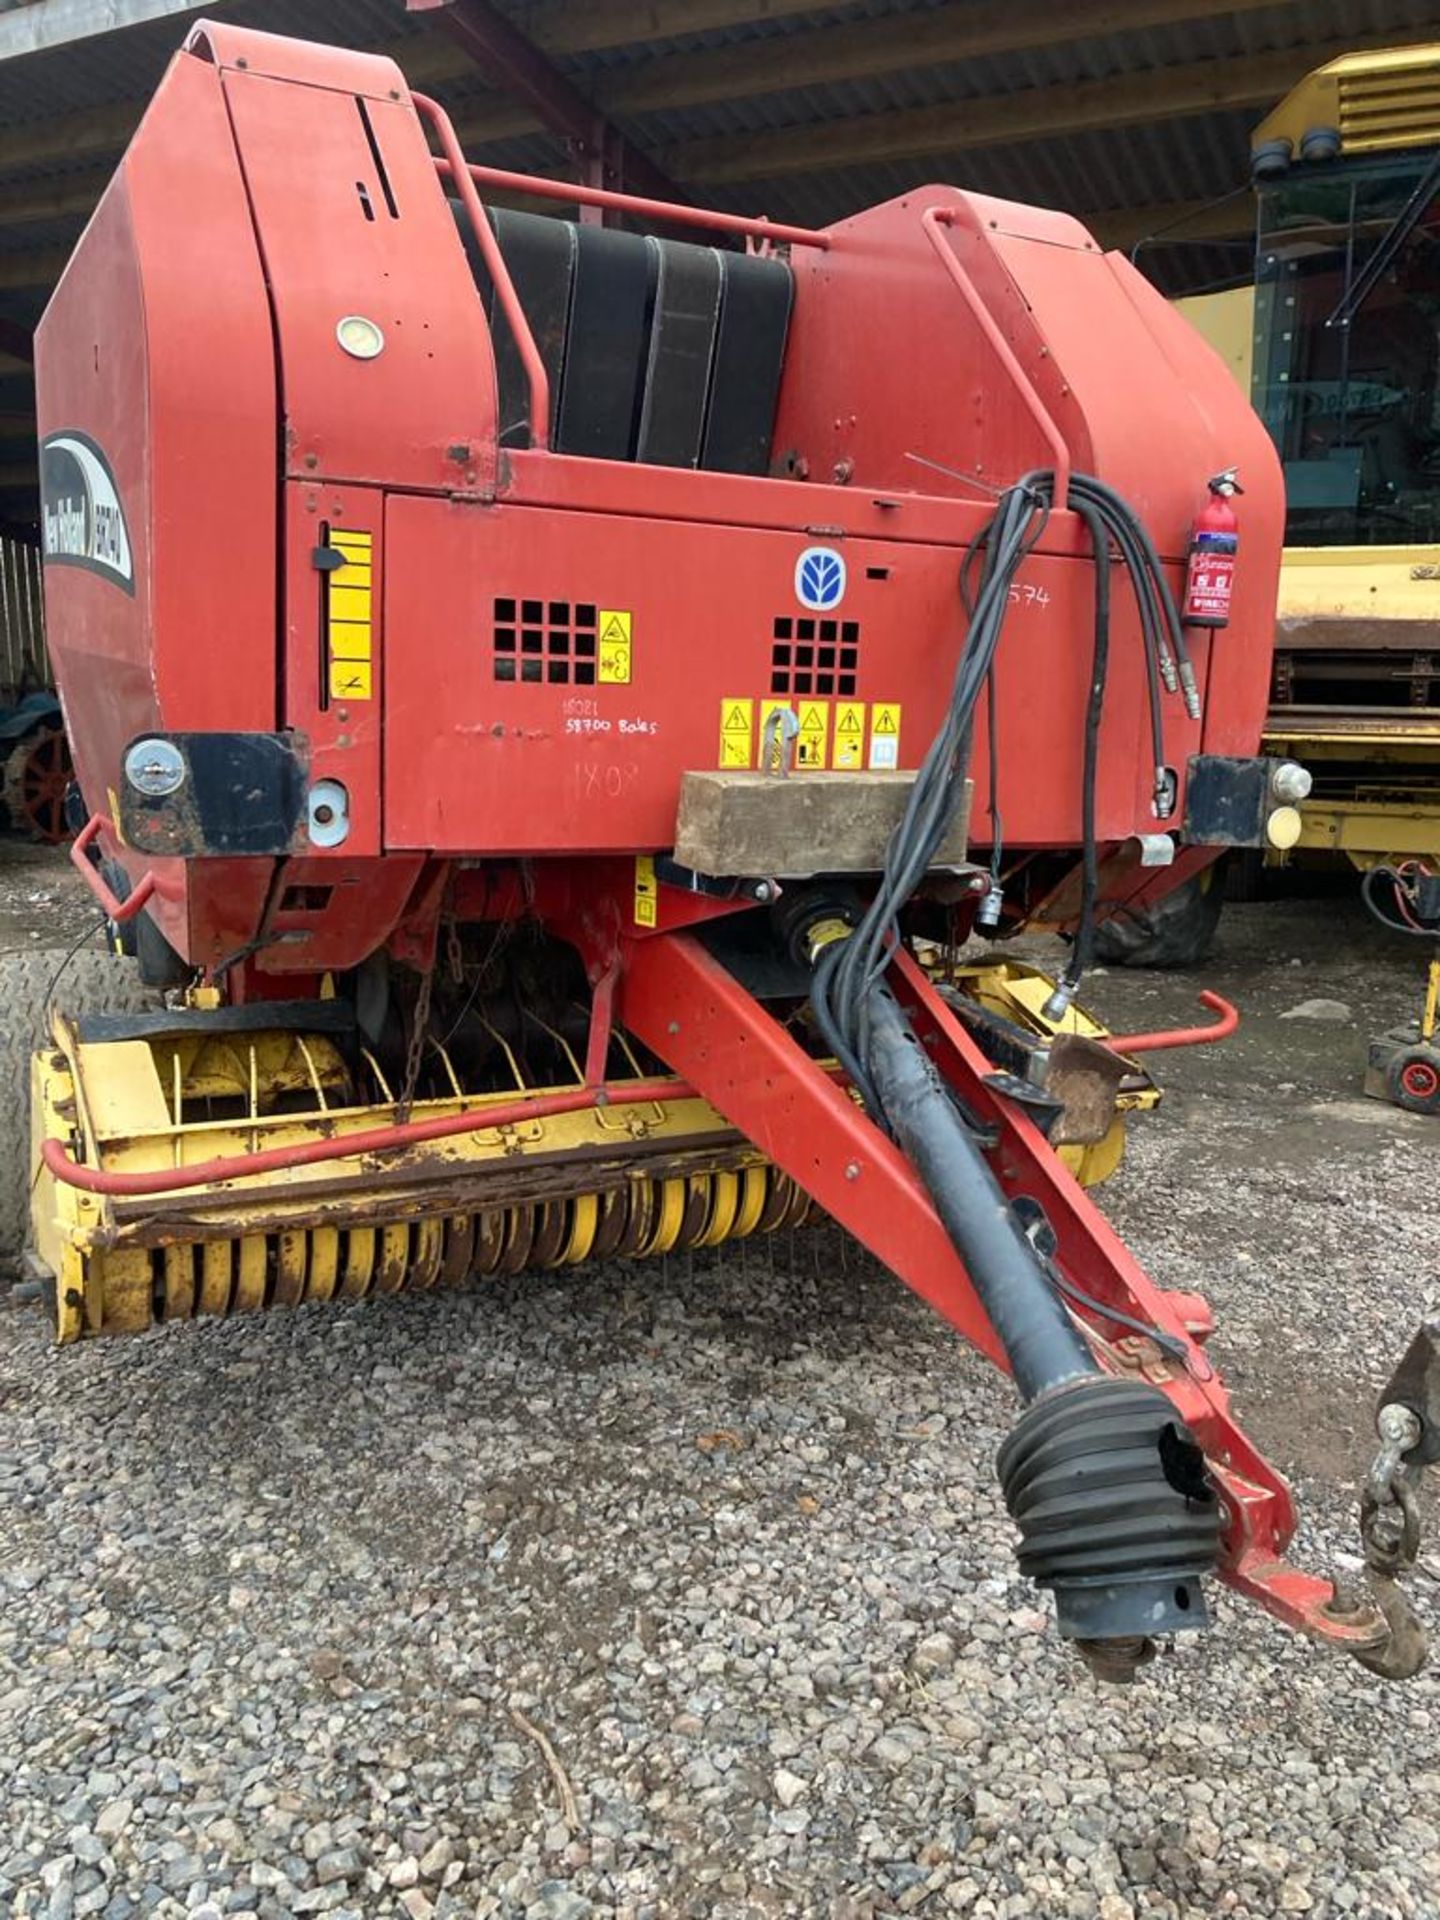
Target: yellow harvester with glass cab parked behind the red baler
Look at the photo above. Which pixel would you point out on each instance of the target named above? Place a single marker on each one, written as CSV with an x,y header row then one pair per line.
x,y
1339,343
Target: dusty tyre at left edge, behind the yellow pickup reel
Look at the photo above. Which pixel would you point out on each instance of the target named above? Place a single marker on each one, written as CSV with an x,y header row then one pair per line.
x,y
91,984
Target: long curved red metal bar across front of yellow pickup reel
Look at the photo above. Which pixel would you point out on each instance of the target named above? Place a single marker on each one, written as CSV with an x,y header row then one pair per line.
x,y
373,1141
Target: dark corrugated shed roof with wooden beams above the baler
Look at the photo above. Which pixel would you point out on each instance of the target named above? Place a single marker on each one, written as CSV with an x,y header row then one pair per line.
x,y
1155,162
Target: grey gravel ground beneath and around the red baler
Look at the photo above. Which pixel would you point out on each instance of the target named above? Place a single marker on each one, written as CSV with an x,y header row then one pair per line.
x,y
686,1589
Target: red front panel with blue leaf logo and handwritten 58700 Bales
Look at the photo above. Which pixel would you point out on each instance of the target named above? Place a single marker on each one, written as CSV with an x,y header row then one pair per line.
x,y
552,675
